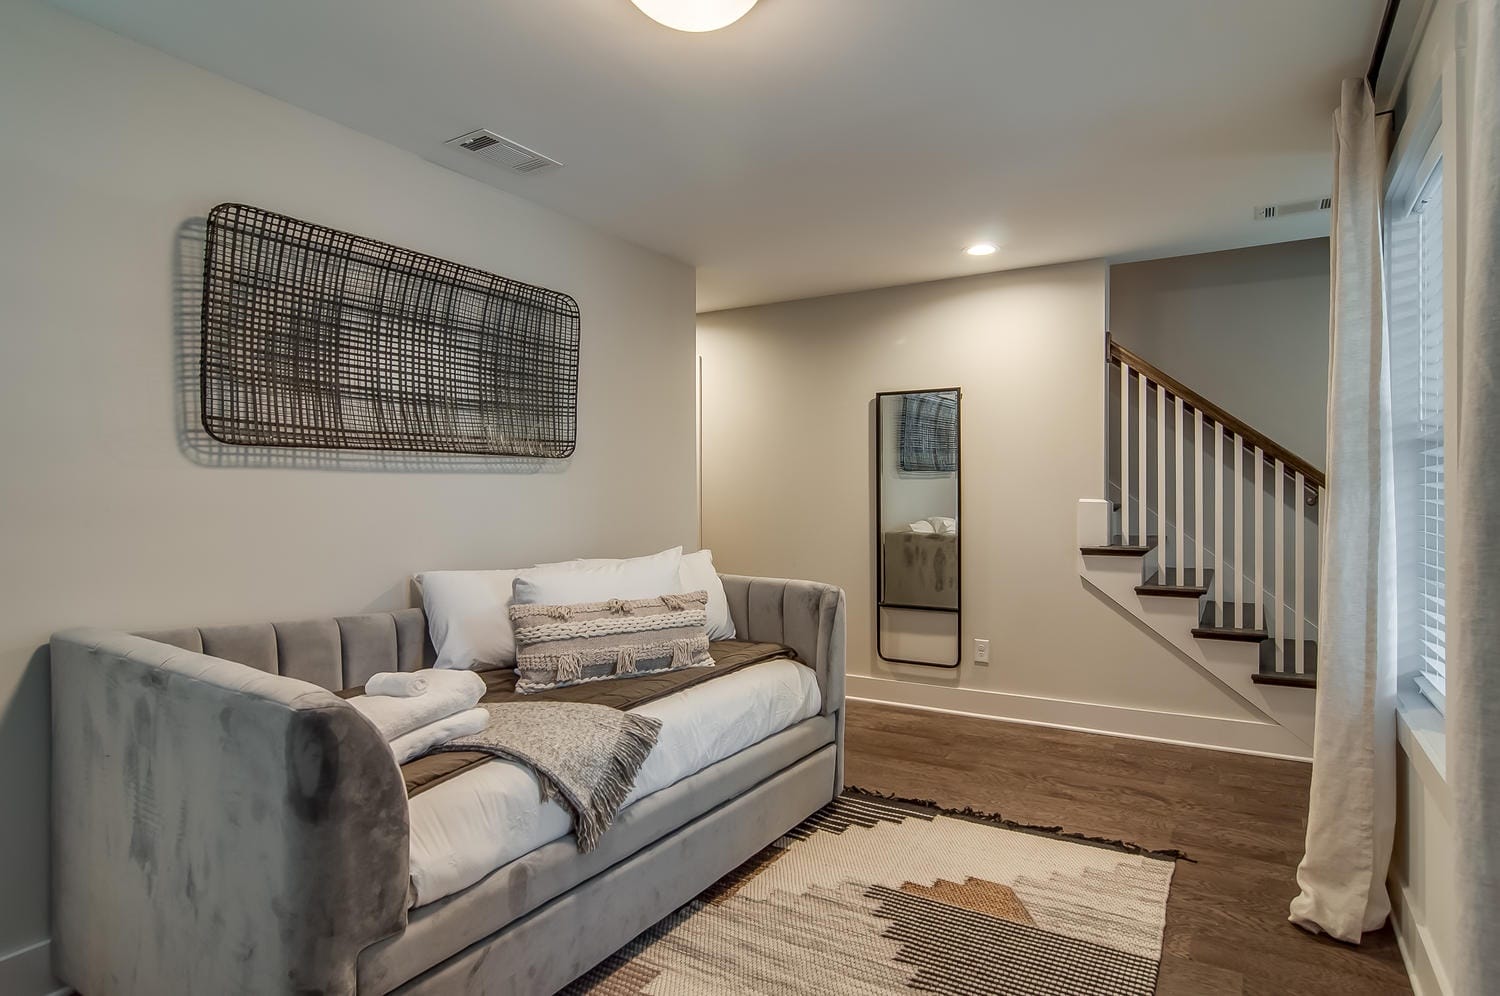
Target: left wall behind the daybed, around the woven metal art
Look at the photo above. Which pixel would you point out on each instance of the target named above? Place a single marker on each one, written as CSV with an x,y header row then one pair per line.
x,y
109,149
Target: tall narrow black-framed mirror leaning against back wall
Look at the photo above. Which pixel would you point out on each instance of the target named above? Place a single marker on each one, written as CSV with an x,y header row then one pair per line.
x,y
917,527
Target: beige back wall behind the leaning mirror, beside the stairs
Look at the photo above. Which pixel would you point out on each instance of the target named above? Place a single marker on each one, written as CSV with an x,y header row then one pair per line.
x,y
790,484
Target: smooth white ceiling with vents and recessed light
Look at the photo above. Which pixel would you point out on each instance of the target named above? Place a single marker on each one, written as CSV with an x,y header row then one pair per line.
x,y
826,146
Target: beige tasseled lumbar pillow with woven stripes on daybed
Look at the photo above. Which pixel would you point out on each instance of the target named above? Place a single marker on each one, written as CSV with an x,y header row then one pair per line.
x,y
566,644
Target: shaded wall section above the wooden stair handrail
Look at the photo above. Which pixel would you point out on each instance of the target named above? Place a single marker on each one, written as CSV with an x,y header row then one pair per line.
x,y
1247,329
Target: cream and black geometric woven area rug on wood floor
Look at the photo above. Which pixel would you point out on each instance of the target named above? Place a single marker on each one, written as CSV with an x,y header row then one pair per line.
x,y
883,896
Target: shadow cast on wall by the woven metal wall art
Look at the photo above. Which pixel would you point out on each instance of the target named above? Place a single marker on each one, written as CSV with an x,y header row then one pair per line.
x,y
203,449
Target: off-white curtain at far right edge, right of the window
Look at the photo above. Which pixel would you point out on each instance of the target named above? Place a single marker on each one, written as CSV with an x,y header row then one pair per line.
x,y
1474,584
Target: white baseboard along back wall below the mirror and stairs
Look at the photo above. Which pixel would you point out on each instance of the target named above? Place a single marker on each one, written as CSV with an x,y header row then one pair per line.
x,y
1211,733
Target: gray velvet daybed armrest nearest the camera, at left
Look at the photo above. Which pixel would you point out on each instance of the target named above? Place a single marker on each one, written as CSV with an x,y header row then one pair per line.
x,y
215,829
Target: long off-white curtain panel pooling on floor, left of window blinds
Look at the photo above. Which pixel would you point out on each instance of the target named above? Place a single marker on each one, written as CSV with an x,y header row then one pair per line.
x,y
1352,808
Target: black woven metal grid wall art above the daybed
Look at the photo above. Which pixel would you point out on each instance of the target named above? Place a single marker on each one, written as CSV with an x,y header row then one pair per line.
x,y
317,338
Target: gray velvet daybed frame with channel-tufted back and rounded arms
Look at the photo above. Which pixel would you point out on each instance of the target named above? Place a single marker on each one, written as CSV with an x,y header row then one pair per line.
x,y
224,824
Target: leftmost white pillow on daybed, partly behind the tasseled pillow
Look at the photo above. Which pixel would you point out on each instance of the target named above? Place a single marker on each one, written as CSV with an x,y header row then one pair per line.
x,y
469,617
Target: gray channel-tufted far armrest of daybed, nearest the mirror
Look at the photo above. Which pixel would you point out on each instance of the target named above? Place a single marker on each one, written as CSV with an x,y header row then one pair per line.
x,y
806,616
